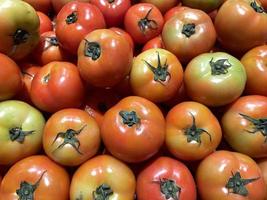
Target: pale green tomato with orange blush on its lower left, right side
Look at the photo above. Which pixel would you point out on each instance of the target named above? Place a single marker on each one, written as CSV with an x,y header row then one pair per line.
x,y
215,79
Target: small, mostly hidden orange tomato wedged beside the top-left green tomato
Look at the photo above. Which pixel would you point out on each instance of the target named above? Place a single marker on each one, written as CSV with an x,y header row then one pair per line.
x,y
49,50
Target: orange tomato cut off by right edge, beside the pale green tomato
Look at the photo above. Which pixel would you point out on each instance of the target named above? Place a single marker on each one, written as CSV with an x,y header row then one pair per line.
x,y
254,63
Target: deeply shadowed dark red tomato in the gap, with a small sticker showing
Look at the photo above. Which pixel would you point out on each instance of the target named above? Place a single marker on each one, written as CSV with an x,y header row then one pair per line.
x,y
98,102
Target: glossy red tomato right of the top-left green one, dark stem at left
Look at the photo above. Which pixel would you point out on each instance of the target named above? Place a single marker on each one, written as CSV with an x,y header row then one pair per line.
x,y
74,21
